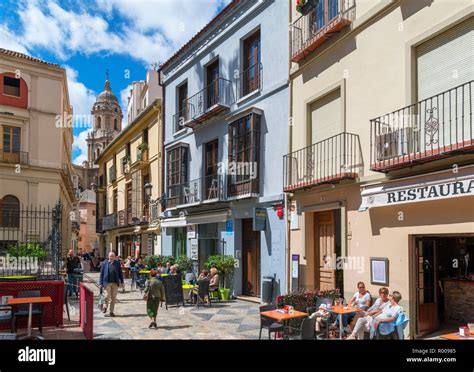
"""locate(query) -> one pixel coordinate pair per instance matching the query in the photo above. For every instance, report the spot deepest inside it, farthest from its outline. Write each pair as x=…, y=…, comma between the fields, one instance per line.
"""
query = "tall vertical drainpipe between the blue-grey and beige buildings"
x=290, y=137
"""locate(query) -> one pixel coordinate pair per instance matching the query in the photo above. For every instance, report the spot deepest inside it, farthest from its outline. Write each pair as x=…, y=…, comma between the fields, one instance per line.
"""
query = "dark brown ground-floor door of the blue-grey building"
x=250, y=259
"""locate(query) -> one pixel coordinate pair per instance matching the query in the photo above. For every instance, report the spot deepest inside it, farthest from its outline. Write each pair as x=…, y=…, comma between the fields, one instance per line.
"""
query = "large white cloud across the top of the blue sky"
x=151, y=31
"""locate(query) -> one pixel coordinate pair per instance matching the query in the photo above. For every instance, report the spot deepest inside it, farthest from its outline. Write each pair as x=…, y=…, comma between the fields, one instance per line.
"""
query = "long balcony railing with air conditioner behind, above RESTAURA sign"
x=433, y=128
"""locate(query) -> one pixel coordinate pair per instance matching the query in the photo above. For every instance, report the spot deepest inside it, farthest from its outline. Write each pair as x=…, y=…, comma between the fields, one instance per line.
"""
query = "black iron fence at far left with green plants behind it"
x=30, y=242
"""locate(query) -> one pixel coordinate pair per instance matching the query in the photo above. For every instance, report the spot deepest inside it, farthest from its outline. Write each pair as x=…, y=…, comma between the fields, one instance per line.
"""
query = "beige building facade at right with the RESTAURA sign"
x=380, y=174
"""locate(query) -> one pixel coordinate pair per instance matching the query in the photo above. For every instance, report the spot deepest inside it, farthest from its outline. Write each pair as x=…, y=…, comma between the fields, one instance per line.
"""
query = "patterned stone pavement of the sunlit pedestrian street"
x=225, y=320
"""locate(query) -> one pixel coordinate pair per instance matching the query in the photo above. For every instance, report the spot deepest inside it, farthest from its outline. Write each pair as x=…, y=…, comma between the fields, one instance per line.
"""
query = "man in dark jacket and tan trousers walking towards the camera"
x=111, y=278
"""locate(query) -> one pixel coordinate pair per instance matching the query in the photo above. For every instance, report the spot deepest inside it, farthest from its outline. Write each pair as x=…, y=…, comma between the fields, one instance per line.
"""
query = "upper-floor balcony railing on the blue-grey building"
x=211, y=101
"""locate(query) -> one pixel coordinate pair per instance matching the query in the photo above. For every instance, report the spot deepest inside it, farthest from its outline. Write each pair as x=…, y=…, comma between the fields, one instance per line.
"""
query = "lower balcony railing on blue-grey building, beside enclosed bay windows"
x=201, y=190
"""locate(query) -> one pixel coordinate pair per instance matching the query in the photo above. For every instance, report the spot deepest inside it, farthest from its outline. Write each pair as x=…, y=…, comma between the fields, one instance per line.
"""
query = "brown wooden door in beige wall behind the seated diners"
x=325, y=249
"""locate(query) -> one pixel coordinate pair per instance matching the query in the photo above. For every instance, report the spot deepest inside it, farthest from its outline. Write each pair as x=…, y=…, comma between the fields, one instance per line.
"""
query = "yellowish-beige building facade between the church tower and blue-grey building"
x=130, y=186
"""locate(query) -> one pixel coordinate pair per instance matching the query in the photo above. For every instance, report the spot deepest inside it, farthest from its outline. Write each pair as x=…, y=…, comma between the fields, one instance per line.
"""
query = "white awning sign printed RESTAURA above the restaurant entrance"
x=433, y=186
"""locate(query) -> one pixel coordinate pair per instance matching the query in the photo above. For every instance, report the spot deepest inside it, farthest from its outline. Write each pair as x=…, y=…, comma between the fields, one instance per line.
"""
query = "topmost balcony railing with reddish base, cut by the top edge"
x=325, y=19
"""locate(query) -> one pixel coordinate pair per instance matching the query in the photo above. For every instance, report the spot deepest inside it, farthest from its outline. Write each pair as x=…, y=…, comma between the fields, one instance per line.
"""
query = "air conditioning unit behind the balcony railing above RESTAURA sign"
x=396, y=143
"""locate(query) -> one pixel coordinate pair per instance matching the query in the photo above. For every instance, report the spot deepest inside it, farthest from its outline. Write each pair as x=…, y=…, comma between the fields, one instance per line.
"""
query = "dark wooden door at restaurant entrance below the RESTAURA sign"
x=426, y=279
